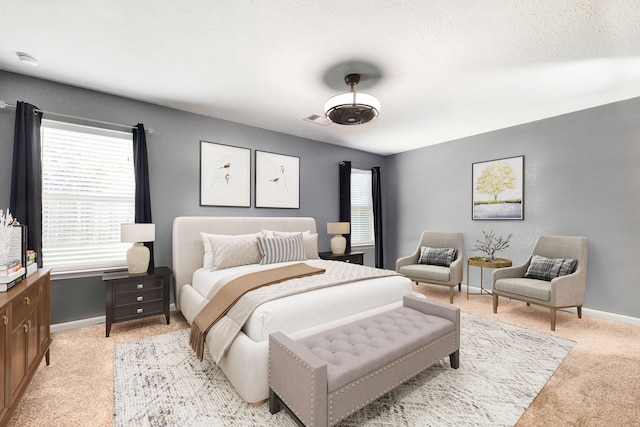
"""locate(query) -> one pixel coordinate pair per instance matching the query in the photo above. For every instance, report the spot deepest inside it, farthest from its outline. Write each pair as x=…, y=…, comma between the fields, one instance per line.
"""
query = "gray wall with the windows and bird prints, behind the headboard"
x=173, y=150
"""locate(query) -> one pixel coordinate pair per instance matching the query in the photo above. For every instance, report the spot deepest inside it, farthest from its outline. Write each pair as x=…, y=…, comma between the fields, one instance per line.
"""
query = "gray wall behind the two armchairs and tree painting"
x=582, y=177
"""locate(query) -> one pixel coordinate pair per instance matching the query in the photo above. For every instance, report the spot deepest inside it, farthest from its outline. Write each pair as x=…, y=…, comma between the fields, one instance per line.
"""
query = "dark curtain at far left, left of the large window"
x=26, y=179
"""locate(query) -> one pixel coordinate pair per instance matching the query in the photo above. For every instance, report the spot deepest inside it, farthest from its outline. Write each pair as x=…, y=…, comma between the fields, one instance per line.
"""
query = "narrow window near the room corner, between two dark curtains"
x=361, y=208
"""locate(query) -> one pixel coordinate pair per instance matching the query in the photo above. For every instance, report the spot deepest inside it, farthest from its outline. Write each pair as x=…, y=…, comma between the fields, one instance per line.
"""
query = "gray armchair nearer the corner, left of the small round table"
x=435, y=274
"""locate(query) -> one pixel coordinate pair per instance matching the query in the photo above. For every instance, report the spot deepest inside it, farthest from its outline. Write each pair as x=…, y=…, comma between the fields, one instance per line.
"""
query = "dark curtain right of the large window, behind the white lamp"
x=143, y=196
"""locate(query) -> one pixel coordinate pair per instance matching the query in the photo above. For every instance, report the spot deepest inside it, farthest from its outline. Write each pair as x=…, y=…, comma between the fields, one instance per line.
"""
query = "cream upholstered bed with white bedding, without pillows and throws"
x=245, y=360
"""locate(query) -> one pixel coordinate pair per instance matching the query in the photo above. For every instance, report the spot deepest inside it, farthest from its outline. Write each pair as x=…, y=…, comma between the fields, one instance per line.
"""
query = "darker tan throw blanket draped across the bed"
x=232, y=291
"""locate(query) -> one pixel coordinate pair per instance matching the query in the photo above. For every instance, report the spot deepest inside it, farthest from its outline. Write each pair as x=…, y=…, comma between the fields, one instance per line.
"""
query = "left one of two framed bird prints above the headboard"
x=225, y=175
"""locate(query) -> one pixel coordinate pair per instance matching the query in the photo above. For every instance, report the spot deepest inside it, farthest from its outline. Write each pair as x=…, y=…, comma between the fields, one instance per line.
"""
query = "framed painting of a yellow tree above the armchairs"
x=498, y=189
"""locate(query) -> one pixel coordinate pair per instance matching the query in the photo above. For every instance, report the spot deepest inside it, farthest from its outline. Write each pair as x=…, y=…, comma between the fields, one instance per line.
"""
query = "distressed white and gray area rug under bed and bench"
x=158, y=381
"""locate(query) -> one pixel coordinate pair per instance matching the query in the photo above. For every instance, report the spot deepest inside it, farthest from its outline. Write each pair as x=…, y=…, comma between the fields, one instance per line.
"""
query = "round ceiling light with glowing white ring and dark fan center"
x=352, y=108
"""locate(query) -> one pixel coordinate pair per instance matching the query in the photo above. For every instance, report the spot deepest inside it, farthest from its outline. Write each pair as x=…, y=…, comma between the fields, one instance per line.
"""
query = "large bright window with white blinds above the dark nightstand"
x=88, y=190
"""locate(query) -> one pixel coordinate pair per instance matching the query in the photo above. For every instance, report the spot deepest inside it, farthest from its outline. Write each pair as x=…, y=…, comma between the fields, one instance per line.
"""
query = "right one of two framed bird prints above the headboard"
x=277, y=181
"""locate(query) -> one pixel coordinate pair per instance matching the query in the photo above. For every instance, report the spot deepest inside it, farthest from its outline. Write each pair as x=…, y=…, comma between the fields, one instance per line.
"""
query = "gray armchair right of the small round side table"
x=560, y=292
